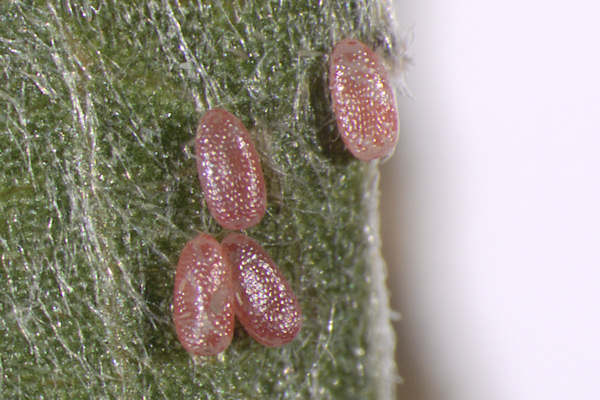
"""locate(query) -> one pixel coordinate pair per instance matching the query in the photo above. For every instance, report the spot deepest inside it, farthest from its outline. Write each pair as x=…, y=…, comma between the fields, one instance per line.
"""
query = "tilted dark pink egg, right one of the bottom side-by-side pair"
x=263, y=300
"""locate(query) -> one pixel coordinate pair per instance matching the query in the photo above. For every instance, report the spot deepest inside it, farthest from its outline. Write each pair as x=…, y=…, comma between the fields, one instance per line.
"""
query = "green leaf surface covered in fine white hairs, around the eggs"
x=99, y=193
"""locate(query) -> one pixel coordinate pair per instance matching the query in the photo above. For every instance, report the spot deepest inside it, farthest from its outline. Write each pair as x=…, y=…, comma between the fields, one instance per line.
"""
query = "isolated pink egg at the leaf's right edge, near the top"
x=363, y=101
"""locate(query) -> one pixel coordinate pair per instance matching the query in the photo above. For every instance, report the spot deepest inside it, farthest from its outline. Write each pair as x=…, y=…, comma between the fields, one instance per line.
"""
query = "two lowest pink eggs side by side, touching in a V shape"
x=215, y=282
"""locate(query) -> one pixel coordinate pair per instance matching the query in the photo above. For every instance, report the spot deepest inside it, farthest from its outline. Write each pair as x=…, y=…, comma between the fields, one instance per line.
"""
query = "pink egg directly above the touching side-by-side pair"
x=229, y=171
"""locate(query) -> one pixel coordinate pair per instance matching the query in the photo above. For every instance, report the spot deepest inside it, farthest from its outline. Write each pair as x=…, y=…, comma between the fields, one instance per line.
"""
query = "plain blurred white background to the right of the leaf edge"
x=491, y=203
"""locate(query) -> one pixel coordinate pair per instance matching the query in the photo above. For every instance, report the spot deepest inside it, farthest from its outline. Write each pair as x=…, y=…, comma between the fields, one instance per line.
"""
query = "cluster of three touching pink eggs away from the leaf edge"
x=216, y=281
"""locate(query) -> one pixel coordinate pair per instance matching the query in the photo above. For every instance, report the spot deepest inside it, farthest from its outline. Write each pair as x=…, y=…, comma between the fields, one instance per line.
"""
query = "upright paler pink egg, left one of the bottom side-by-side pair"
x=203, y=297
